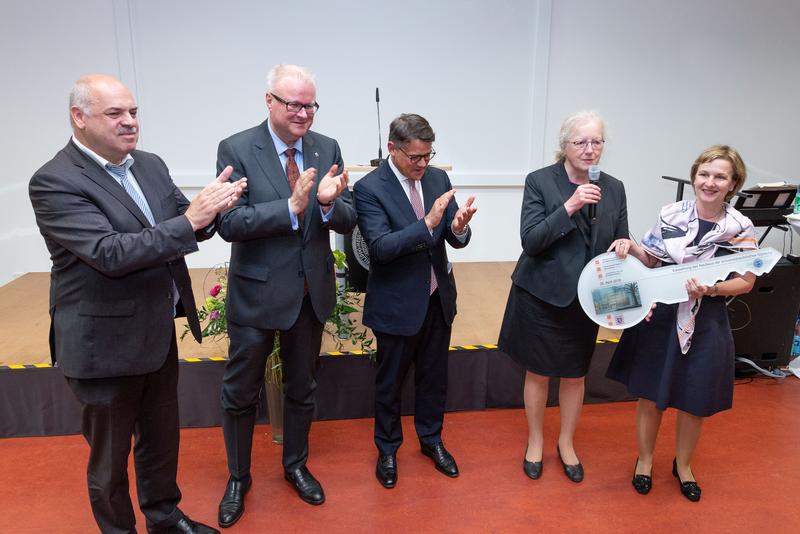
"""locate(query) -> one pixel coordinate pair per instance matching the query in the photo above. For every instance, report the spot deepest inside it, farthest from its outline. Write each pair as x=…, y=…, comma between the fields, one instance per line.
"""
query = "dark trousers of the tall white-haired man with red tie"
x=244, y=379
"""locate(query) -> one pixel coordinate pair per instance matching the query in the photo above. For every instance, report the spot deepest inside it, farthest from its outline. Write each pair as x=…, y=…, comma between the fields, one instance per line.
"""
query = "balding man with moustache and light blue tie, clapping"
x=117, y=229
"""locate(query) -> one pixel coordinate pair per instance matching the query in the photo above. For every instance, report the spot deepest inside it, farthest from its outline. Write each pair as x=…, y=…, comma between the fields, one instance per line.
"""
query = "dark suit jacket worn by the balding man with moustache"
x=111, y=282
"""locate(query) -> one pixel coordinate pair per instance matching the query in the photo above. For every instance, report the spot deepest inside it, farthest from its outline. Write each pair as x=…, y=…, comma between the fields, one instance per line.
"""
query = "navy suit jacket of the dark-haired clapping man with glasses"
x=402, y=250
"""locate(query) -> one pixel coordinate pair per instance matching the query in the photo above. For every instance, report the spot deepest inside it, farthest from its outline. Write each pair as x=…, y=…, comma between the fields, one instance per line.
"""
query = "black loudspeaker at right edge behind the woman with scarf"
x=763, y=320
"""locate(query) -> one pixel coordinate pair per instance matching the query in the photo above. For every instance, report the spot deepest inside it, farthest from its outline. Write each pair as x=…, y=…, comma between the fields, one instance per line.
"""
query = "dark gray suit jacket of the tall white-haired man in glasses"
x=269, y=260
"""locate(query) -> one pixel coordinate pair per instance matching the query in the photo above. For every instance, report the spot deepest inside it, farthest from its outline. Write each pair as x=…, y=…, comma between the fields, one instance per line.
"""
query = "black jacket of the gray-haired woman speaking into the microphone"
x=554, y=244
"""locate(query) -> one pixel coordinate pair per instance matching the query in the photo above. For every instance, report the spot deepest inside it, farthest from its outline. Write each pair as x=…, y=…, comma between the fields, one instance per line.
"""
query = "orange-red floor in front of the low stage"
x=747, y=464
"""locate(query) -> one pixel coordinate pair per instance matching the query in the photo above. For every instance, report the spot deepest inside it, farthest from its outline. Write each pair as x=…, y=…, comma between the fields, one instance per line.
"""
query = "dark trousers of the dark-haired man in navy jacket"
x=428, y=350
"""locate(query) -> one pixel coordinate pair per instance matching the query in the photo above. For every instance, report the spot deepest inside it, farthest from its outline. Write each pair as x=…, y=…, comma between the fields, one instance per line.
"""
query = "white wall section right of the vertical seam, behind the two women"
x=672, y=78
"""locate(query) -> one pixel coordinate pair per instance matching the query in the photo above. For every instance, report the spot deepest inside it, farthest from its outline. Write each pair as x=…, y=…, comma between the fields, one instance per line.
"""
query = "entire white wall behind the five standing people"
x=494, y=78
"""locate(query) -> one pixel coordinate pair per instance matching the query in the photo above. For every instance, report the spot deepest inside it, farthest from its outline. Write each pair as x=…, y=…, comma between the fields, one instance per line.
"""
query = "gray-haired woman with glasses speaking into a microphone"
x=544, y=328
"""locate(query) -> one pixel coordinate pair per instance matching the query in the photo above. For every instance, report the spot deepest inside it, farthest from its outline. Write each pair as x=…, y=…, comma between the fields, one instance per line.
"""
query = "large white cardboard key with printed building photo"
x=618, y=294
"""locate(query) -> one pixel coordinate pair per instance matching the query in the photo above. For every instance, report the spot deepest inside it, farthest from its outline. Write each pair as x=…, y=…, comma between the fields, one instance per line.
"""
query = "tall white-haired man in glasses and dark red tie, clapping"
x=281, y=274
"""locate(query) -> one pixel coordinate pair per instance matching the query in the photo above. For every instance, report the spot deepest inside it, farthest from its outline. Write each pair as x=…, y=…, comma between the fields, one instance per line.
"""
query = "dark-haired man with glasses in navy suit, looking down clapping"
x=406, y=212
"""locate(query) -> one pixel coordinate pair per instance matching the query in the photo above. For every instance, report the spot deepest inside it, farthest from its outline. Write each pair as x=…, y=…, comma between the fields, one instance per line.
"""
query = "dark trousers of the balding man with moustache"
x=115, y=409
